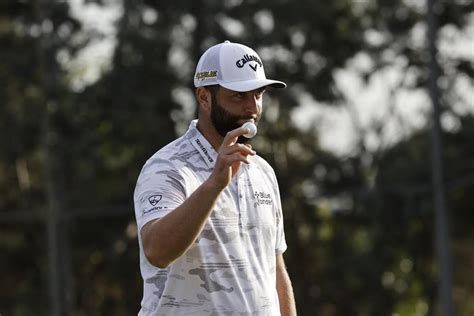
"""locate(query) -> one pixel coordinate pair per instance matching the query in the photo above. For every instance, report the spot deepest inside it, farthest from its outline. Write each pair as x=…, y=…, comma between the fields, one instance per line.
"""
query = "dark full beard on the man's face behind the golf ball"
x=224, y=121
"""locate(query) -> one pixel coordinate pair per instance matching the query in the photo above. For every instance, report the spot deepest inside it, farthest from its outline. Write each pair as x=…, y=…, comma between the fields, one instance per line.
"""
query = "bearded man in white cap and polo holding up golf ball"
x=208, y=208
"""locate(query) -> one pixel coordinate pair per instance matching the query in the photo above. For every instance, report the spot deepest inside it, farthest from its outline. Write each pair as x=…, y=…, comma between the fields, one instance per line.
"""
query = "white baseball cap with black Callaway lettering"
x=232, y=66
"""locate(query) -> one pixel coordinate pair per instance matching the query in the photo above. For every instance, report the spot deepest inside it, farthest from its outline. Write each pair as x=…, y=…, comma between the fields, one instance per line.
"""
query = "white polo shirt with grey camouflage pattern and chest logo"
x=230, y=269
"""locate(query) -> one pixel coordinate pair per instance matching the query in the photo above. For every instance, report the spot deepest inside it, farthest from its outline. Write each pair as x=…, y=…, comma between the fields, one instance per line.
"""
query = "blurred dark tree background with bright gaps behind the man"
x=378, y=201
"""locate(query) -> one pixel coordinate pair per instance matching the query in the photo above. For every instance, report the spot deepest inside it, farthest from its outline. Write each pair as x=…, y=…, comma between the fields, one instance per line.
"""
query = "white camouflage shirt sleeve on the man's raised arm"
x=159, y=190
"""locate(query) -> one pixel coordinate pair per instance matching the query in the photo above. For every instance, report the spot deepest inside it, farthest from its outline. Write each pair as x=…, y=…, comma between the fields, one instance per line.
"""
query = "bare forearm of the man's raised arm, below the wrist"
x=166, y=239
